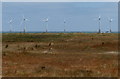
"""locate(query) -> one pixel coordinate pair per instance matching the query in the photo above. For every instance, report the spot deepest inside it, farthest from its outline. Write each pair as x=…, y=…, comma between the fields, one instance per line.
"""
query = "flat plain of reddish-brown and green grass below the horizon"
x=60, y=54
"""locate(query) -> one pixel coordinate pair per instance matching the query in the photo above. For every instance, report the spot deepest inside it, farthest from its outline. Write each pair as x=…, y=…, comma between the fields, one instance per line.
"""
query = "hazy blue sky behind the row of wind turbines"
x=80, y=16
